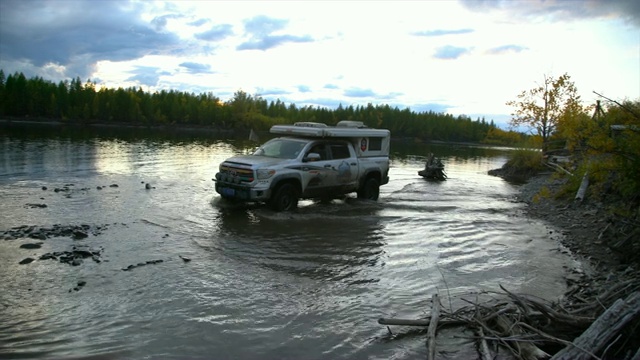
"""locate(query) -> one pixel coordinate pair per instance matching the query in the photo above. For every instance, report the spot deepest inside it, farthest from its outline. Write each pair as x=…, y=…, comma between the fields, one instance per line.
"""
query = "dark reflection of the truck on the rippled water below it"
x=321, y=241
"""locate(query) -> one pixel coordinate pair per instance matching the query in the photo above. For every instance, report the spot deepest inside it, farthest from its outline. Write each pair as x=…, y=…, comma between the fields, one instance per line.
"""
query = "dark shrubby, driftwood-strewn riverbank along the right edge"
x=599, y=314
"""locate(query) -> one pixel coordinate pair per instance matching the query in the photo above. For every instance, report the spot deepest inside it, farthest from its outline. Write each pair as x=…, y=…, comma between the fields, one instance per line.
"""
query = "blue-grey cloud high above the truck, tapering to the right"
x=260, y=31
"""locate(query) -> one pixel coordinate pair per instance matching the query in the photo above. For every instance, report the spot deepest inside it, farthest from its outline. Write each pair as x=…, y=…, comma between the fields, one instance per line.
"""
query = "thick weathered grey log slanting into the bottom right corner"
x=604, y=329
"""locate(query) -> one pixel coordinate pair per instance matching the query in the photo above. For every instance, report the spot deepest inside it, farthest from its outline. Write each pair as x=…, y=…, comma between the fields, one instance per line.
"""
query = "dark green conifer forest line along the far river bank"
x=77, y=102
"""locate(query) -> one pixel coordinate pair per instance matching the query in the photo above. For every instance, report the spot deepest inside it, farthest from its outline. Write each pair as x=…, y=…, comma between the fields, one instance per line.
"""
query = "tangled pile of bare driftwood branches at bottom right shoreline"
x=583, y=326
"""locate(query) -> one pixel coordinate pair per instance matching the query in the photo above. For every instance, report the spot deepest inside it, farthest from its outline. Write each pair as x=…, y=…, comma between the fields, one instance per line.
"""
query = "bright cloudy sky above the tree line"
x=465, y=57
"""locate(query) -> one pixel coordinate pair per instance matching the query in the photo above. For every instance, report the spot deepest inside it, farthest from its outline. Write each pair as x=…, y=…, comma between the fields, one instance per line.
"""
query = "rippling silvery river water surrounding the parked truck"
x=259, y=285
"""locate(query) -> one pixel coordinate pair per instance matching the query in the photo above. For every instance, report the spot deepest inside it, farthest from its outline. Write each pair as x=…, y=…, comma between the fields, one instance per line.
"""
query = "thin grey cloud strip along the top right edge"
x=562, y=10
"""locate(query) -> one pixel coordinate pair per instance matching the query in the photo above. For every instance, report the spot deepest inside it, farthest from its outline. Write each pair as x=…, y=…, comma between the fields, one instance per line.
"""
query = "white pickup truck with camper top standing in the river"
x=309, y=161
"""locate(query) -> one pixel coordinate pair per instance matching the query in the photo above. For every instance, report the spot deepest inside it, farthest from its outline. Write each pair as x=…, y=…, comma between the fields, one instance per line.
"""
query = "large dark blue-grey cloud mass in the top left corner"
x=78, y=34
